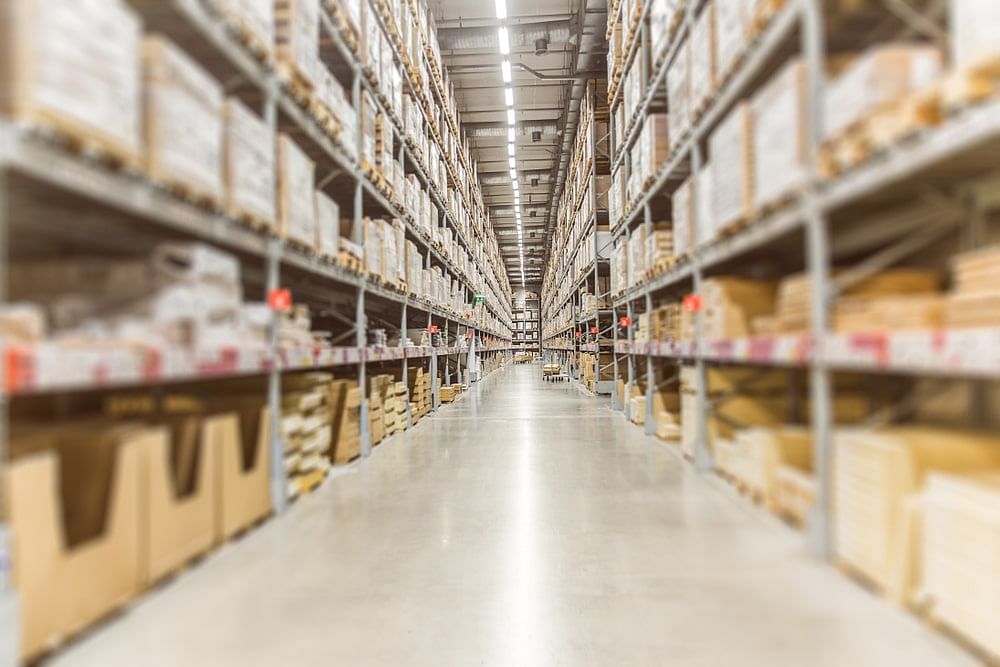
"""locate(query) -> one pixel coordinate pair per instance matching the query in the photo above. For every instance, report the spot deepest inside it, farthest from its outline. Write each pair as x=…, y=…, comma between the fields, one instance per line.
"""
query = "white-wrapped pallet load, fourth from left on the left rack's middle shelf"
x=296, y=207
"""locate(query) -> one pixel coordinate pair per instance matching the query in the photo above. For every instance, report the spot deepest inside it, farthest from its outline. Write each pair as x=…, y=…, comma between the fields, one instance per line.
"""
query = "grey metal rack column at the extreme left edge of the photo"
x=9, y=623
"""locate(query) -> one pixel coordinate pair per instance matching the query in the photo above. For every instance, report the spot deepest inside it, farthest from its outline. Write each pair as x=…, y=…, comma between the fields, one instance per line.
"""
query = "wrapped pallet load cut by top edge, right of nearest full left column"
x=297, y=39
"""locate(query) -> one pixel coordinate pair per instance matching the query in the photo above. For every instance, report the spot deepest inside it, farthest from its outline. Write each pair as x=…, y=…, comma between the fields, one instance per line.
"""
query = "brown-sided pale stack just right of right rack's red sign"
x=731, y=304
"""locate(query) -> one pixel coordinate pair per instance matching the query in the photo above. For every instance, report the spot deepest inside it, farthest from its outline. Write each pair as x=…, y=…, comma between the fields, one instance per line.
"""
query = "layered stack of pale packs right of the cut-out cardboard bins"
x=306, y=430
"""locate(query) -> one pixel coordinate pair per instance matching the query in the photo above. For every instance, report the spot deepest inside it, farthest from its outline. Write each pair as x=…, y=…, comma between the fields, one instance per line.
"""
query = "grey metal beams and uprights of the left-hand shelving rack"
x=132, y=214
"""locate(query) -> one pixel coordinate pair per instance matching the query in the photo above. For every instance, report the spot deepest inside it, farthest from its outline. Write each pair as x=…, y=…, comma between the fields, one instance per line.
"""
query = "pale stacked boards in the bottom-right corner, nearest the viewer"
x=960, y=543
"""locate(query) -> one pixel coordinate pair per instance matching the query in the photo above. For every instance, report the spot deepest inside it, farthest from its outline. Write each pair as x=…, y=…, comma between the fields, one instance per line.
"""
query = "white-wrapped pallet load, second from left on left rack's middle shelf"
x=183, y=121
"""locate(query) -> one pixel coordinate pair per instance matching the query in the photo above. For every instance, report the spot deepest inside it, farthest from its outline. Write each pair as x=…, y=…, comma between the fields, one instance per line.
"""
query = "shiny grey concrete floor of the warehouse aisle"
x=525, y=525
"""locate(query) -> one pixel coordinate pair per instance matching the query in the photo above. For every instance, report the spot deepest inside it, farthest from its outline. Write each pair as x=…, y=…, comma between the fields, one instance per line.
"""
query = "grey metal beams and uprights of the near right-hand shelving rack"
x=962, y=148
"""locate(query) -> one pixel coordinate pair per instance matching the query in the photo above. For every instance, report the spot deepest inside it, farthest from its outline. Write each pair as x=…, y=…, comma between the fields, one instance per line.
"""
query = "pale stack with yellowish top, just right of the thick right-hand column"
x=877, y=477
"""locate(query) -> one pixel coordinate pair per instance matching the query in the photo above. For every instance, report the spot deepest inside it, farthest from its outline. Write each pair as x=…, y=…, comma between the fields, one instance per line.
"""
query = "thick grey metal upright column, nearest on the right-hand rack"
x=820, y=524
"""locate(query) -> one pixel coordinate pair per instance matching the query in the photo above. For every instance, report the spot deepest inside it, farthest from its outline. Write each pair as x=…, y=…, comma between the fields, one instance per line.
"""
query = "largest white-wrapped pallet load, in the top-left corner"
x=75, y=67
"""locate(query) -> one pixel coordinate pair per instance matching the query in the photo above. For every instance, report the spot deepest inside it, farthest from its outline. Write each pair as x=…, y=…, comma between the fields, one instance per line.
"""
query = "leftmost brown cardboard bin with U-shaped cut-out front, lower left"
x=75, y=506
